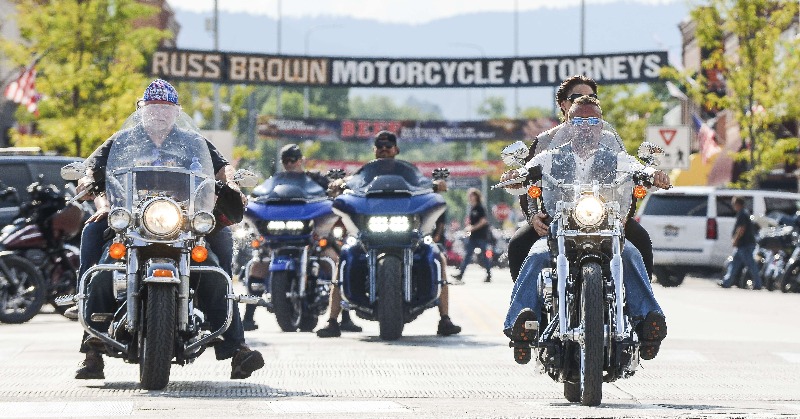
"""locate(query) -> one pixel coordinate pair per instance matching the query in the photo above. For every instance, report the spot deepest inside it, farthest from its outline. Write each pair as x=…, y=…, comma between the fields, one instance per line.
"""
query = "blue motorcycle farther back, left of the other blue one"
x=293, y=216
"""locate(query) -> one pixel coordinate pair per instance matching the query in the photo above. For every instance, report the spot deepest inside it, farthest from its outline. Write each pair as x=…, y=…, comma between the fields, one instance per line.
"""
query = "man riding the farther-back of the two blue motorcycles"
x=293, y=161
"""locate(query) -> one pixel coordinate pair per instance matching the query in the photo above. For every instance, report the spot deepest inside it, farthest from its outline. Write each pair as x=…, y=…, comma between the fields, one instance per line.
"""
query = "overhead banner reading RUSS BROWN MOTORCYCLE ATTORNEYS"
x=292, y=70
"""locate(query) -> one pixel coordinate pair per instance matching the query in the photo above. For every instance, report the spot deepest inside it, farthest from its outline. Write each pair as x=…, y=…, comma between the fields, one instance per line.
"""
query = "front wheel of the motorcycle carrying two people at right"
x=589, y=389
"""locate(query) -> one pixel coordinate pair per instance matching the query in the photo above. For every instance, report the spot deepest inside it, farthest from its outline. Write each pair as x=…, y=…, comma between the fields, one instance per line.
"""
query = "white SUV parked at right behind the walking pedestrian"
x=691, y=226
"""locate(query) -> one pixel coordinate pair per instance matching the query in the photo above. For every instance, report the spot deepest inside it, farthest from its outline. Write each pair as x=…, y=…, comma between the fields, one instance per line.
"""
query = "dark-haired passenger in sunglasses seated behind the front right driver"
x=522, y=240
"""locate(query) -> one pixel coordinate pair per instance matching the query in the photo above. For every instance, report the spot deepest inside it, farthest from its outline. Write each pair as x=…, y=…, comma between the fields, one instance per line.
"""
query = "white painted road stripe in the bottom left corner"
x=64, y=409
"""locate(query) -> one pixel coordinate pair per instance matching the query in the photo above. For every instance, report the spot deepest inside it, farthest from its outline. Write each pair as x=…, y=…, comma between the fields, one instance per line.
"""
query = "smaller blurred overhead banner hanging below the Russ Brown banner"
x=408, y=131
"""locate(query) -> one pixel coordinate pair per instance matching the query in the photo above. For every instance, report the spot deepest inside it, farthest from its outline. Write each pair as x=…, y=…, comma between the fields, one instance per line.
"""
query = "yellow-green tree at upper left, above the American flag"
x=91, y=70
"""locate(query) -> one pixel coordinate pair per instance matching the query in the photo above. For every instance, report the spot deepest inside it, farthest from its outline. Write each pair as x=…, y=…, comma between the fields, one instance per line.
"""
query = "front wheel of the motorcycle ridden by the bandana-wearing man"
x=157, y=337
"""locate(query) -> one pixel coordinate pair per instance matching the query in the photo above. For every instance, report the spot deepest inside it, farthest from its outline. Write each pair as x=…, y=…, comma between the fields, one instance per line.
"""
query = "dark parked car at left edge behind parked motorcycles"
x=21, y=166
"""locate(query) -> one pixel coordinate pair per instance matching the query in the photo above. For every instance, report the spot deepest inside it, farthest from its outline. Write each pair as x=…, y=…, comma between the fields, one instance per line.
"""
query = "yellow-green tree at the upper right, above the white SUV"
x=744, y=40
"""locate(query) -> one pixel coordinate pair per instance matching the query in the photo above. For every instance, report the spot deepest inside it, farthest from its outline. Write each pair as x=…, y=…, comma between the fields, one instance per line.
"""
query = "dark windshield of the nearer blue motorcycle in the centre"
x=389, y=176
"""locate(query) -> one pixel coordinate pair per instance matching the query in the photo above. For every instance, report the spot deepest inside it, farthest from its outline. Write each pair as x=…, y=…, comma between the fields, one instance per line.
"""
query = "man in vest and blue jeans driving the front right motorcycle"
x=646, y=315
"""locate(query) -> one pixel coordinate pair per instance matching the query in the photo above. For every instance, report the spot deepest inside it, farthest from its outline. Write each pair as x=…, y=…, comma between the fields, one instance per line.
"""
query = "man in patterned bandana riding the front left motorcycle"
x=219, y=241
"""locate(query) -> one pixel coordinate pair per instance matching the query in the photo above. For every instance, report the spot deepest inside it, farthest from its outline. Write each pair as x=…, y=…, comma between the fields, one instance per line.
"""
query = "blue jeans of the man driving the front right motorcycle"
x=639, y=295
